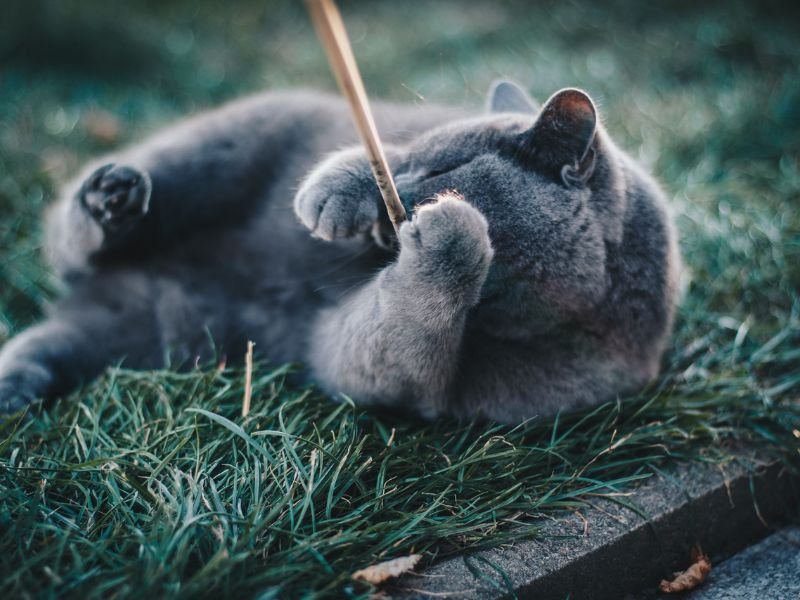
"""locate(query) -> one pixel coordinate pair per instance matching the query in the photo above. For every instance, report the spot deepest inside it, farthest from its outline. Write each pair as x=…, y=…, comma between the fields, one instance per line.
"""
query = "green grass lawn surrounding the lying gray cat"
x=153, y=483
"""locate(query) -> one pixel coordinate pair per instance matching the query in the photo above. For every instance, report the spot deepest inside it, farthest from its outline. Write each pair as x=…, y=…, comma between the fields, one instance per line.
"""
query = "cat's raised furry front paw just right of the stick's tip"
x=447, y=244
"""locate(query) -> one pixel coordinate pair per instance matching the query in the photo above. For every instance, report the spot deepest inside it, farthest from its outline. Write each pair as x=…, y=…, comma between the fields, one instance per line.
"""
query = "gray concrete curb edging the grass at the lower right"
x=617, y=550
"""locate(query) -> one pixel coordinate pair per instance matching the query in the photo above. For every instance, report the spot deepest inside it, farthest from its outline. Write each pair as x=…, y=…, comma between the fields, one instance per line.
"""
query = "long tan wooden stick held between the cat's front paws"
x=332, y=33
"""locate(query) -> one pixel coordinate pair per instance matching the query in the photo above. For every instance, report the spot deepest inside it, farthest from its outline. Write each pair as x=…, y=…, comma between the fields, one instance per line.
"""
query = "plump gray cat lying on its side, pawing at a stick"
x=537, y=273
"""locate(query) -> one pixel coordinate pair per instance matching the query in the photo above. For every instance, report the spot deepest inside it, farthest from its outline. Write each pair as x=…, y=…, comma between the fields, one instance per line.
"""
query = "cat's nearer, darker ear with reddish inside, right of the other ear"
x=561, y=139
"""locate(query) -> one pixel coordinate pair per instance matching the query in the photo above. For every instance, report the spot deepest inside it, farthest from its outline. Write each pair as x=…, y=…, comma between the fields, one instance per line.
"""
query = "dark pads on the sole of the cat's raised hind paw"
x=115, y=195
